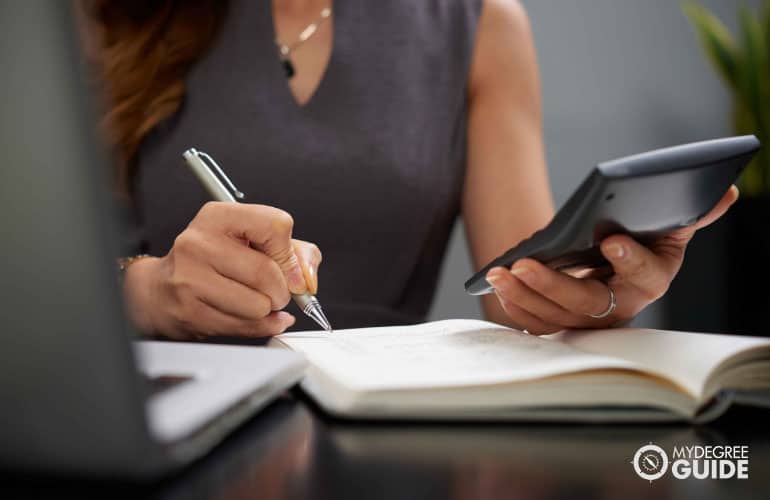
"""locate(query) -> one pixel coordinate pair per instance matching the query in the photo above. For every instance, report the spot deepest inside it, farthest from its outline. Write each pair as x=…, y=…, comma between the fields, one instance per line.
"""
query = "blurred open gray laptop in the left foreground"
x=79, y=393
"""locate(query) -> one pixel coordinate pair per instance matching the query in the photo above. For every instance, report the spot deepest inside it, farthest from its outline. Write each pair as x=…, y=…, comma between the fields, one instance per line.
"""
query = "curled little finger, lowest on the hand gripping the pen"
x=209, y=321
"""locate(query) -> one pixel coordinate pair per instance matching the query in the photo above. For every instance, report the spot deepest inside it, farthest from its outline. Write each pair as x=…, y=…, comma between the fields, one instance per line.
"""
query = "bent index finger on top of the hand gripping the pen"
x=266, y=228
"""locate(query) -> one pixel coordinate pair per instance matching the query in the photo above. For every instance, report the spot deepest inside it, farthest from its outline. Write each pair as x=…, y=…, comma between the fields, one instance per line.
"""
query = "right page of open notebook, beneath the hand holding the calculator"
x=686, y=358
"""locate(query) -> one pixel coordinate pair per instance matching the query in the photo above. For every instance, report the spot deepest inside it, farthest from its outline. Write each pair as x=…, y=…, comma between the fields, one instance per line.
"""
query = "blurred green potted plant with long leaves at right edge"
x=743, y=62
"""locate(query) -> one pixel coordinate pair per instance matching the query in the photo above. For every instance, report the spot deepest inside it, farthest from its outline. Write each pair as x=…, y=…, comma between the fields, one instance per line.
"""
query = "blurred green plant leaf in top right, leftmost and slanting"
x=716, y=41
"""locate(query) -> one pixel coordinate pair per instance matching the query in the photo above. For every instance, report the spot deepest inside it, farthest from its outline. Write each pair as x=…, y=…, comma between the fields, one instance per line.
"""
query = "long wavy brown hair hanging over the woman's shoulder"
x=141, y=51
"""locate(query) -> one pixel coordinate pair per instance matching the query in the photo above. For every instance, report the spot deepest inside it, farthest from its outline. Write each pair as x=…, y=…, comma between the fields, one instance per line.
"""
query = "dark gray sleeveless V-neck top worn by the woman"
x=371, y=168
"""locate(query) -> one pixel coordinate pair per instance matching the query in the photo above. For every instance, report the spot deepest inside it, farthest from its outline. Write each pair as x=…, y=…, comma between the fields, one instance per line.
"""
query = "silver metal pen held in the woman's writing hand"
x=214, y=180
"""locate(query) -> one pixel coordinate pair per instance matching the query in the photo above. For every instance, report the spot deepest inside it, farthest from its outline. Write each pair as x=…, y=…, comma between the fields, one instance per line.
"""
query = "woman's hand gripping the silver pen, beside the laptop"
x=230, y=272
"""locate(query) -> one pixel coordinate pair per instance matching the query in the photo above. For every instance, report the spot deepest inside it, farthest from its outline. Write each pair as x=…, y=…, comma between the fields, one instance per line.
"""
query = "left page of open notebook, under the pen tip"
x=439, y=354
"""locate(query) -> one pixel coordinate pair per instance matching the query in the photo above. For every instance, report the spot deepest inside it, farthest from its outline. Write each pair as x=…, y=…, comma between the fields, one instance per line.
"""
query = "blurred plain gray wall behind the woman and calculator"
x=618, y=77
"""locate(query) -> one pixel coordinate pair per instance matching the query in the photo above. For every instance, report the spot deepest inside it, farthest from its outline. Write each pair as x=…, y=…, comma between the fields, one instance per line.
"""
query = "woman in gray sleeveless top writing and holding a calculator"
x=364, y=127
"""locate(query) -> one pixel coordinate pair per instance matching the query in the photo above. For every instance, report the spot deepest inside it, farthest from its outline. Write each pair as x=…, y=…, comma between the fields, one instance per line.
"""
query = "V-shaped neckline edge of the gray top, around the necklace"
x=278, y=72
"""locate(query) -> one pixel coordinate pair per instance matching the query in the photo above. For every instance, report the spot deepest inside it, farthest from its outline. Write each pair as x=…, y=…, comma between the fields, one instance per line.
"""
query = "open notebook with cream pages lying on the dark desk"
x=468, y=369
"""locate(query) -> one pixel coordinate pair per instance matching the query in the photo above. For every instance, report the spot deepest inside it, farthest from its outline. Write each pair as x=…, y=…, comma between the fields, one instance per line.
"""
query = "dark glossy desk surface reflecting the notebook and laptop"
x=291, y=450
